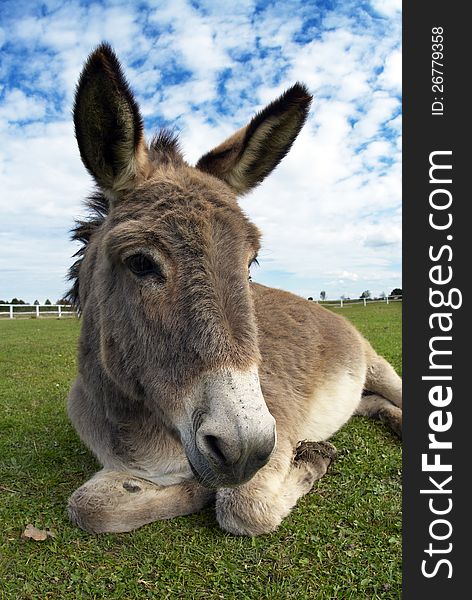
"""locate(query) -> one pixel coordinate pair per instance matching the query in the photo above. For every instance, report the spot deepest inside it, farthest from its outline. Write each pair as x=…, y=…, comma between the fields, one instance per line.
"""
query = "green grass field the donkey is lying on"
x=342, y=541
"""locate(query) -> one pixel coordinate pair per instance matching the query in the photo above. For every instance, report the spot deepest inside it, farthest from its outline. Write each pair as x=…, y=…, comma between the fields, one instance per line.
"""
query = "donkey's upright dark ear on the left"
x=108, y=125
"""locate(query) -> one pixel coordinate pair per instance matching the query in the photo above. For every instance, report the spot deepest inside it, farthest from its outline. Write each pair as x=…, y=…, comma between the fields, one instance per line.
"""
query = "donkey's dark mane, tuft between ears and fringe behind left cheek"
x=164, y=148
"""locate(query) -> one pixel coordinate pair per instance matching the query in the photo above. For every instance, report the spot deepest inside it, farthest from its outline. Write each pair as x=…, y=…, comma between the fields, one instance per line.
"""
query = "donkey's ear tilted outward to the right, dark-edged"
x=249, y=155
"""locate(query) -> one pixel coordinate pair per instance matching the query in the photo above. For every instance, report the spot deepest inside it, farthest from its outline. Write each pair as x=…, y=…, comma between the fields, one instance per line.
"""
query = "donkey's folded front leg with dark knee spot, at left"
x=115, y=501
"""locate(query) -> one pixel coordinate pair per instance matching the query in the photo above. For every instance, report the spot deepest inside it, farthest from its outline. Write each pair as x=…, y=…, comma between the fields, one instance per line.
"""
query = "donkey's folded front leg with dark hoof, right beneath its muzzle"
x=259, y=505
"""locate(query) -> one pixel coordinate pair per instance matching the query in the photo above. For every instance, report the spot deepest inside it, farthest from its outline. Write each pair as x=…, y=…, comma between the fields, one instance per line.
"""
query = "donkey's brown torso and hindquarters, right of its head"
x=316, y=367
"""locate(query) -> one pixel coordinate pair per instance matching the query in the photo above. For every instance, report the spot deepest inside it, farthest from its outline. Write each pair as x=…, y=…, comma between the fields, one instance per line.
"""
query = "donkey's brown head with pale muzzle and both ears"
x=164, y=284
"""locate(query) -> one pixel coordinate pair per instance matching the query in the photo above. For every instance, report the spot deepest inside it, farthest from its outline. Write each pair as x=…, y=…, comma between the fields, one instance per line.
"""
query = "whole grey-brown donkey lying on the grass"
x=194, y=383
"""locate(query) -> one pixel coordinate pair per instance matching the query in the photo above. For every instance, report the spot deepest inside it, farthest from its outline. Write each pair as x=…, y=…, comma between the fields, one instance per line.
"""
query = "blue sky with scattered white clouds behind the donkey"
x=331, y=212
